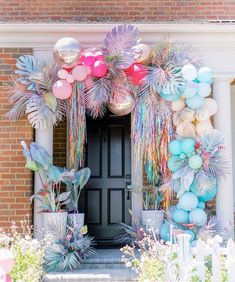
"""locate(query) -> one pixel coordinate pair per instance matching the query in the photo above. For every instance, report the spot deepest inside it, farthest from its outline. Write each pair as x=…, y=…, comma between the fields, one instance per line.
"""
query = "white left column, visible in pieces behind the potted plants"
x=43, y=137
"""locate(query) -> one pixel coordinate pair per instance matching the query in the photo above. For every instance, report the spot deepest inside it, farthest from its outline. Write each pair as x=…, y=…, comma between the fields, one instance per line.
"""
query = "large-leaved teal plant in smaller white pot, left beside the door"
x=76, y=181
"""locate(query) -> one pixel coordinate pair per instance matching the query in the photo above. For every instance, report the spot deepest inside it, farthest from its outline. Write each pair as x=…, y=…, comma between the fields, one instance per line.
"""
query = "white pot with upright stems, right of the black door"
x=152, y=215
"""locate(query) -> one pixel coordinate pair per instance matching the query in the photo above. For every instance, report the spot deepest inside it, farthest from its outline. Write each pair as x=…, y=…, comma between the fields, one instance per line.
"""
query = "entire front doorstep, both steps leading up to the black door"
x=106, y=265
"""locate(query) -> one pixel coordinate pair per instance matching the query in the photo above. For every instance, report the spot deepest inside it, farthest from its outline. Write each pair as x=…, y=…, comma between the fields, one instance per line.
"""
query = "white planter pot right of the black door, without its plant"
x=153, y=218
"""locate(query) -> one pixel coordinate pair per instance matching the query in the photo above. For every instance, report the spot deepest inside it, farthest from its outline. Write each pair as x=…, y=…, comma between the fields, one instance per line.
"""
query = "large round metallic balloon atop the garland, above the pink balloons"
x=67, y=52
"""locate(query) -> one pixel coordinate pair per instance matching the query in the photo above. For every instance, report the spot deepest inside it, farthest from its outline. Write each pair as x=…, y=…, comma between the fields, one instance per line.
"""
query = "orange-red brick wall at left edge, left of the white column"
x=15, y=180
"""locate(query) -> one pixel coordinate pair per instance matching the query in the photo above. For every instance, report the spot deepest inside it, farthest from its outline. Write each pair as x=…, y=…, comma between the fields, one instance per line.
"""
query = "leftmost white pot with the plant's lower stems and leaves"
x=53, y=214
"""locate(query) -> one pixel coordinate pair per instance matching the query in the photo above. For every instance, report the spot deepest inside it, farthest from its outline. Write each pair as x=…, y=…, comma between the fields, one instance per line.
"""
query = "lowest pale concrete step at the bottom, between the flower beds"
x=85, y=275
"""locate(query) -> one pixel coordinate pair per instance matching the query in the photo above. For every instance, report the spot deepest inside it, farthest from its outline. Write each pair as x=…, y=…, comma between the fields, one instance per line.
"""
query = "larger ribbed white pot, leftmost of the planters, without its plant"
x=54, y=224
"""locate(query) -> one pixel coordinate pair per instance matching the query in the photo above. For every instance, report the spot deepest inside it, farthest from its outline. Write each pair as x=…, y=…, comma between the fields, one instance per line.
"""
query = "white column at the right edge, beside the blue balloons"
x=224, y=197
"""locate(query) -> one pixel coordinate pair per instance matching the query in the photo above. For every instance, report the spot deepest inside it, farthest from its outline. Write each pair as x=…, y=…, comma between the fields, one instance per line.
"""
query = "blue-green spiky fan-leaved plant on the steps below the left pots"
x=67, y=254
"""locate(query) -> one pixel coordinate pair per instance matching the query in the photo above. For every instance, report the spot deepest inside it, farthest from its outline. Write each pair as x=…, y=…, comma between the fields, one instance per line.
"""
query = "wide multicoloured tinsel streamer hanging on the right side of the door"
x=152, y=130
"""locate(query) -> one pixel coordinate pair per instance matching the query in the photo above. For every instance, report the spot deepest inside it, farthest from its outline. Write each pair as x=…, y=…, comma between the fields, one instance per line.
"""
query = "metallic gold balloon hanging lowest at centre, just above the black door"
x=124, y=106
